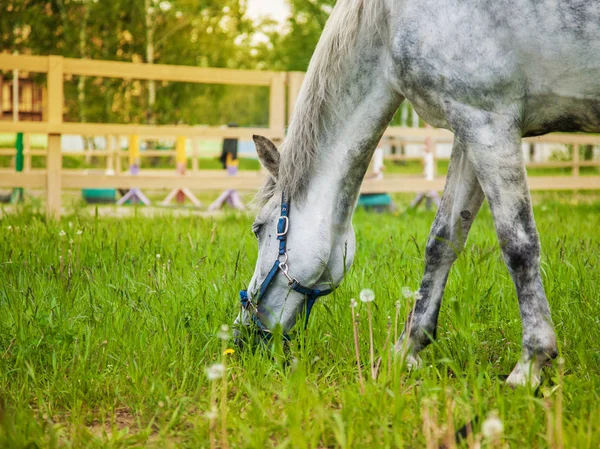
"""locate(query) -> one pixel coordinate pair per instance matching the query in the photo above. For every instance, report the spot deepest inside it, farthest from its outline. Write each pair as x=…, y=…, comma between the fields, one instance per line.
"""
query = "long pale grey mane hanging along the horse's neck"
x=337, y=46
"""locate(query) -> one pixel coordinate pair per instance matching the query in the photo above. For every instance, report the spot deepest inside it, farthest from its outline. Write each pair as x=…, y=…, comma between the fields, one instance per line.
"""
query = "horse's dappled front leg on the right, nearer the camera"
x=500, y=168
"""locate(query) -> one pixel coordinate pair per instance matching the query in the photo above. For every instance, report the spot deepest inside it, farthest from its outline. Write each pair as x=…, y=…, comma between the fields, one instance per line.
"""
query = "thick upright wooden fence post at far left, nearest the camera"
x=54, y=158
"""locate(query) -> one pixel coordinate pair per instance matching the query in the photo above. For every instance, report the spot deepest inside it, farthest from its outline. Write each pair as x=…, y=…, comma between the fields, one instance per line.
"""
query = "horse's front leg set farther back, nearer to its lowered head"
x=460, y=203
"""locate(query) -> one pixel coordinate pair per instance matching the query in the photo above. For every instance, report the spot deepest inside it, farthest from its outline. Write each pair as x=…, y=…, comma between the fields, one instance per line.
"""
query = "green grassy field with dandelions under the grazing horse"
x=107, y=327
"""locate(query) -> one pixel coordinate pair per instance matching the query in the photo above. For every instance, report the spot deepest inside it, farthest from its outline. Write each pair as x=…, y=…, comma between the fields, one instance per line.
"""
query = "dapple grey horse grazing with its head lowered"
x=492, y=72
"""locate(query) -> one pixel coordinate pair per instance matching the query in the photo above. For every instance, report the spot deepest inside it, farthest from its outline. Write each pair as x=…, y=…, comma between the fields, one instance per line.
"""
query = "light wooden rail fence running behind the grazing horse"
x=284, y=88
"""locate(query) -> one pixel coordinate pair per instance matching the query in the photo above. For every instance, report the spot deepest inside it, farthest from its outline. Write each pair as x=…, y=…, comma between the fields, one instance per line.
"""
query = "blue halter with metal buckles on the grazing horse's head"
x=281, y=265
